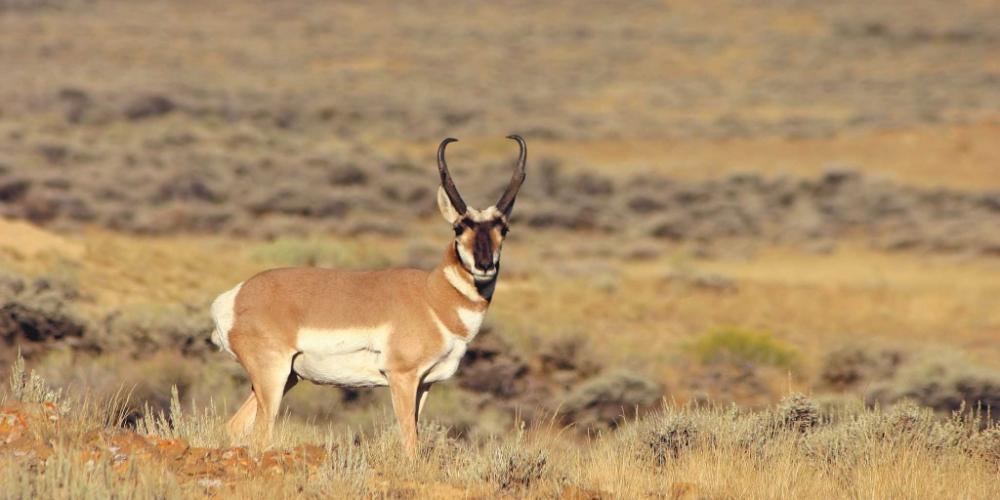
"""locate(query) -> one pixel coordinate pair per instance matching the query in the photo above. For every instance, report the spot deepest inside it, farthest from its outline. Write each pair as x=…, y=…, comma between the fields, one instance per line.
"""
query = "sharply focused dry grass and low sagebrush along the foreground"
x=683, y=452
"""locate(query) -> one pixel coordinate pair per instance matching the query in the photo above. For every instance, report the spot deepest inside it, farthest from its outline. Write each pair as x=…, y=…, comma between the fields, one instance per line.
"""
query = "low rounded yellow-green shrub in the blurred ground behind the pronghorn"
x=729, y=344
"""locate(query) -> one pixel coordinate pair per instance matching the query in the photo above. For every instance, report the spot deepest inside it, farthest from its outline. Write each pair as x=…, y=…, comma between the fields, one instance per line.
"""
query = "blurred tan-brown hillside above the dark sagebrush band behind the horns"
x=788, y=86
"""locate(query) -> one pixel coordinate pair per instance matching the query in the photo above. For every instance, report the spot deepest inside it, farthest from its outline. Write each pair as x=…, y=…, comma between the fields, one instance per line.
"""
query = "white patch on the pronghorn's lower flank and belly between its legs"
x=352, y=357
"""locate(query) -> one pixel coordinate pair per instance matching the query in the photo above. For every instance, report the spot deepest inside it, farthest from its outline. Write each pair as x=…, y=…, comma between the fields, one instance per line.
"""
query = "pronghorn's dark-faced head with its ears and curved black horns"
x=479, y=234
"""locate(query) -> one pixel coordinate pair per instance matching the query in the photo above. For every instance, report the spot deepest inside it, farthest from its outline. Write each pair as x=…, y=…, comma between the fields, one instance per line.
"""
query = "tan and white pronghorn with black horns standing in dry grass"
x=404, y=328
